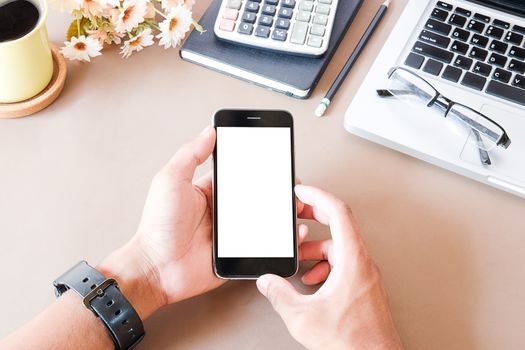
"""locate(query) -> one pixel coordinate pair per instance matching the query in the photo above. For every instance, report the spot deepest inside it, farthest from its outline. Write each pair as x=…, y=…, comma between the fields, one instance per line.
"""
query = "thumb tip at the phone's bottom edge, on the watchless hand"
x=280, y=293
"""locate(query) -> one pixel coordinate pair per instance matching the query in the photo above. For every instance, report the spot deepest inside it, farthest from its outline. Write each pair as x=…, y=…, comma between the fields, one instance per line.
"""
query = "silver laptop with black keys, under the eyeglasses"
x=471, y=51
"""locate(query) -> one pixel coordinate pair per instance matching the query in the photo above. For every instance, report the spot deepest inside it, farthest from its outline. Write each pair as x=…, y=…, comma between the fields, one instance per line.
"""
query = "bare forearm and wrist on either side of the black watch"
x=68, y=324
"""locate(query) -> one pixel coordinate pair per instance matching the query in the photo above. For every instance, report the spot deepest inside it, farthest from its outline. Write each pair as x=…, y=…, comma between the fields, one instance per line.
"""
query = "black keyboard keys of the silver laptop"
x=474, y=50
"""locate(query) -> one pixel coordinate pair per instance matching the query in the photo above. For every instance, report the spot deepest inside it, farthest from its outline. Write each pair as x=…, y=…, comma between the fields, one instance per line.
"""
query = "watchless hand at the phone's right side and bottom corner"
x=350, y=310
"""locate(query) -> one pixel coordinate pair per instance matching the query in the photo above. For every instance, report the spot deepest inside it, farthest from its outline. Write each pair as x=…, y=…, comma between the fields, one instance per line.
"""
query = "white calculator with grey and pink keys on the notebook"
x=301, y=27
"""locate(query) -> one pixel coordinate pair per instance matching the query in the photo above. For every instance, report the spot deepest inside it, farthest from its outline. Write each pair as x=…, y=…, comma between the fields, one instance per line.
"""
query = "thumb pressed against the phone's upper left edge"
x=183, y=164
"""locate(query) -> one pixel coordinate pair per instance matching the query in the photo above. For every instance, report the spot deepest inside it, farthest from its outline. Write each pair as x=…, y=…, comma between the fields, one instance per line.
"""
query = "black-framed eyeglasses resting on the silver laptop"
x=413, y=89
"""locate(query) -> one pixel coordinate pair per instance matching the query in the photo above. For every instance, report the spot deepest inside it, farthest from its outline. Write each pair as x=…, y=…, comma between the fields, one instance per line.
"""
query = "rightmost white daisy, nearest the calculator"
x=175, y=26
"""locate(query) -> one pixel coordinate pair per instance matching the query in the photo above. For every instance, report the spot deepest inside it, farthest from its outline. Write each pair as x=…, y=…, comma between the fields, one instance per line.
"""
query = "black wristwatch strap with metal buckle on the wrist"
x=103, y=297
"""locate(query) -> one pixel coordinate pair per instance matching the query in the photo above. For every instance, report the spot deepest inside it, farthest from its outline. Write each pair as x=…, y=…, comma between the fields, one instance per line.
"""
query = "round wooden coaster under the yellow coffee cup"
x=43, y=99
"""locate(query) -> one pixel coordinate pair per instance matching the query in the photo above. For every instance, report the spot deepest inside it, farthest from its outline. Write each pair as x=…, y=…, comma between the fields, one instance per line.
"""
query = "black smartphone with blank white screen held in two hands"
x=254, y=201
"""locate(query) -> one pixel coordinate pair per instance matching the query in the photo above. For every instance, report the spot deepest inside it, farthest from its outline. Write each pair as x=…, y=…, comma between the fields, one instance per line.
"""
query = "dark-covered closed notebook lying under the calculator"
x=292, y=75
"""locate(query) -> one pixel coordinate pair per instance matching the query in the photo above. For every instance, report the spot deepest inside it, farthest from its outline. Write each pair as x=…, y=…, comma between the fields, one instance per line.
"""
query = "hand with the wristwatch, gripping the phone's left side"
x=172, y=251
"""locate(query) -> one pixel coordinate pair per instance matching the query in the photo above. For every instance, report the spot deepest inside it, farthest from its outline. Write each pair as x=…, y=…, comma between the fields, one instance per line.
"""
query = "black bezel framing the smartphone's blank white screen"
x=251, y=268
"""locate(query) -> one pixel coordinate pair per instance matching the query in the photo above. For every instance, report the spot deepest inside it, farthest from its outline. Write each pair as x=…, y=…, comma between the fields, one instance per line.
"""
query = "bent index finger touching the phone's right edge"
x=327, y=209
